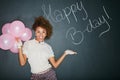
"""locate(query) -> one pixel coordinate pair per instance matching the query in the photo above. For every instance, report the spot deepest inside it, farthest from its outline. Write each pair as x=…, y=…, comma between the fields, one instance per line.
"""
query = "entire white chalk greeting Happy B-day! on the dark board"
x=78, y=7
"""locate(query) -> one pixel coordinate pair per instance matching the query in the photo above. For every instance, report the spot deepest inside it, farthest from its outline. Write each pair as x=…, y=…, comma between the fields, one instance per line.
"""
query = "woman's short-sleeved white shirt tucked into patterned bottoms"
x=38, y=55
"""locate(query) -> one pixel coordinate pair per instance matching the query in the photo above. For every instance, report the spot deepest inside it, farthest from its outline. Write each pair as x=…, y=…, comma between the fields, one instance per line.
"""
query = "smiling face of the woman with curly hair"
x=40, y=34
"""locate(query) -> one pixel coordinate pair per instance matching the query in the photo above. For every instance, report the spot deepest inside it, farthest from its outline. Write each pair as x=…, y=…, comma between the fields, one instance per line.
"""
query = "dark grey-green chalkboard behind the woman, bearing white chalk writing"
x=89, y=27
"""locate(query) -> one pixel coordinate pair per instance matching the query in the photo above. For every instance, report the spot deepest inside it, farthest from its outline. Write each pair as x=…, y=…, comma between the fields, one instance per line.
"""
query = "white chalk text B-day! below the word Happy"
x=92, y=24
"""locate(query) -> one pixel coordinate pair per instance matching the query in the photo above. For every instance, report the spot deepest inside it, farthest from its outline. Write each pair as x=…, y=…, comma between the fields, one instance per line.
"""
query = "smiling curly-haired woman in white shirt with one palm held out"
x=40, y=54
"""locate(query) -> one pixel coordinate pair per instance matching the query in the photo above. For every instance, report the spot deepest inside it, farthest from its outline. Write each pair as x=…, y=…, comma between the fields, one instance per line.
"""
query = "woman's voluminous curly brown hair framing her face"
x=44, y=23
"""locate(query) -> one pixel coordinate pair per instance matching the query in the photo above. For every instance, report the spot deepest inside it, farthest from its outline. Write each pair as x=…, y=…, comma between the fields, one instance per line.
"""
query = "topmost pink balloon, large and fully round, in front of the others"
x=17, y=28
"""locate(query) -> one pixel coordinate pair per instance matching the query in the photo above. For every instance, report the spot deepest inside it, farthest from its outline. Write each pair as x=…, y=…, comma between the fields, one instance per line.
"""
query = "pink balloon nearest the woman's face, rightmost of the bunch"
x=26, y=35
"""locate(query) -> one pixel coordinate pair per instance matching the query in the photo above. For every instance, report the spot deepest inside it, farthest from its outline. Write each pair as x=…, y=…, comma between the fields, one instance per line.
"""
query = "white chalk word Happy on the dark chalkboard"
x=65, y=13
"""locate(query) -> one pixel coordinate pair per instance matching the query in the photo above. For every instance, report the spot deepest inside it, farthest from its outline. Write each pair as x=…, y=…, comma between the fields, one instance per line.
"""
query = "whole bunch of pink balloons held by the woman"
x=11, y=32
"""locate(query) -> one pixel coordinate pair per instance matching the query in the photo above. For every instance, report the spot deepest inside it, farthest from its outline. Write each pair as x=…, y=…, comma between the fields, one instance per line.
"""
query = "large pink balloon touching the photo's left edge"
x=6, y=41
